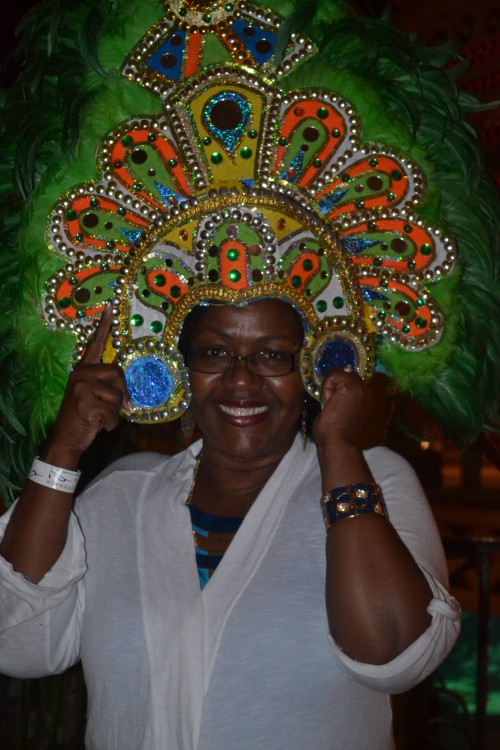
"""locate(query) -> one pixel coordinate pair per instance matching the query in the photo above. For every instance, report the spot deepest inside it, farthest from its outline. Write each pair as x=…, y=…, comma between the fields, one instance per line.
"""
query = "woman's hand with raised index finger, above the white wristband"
x=94, y=396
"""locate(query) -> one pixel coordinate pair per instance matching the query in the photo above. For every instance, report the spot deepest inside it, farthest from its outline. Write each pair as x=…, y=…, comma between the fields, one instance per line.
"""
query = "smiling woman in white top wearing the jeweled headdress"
x=243, y=249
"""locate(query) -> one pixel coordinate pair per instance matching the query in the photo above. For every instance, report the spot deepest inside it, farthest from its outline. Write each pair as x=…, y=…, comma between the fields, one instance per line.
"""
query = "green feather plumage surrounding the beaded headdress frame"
x=70, y=93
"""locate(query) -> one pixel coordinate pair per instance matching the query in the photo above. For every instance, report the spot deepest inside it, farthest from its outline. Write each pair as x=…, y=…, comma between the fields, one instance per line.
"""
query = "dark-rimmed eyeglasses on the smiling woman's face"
x=269, y=363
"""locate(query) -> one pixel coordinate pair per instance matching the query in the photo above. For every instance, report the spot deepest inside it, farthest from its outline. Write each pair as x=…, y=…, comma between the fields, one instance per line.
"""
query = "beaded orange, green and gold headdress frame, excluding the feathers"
x=242, y=190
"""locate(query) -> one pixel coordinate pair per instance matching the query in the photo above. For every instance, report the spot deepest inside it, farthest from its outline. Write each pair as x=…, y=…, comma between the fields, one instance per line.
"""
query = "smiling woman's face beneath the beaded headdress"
x=242, y=415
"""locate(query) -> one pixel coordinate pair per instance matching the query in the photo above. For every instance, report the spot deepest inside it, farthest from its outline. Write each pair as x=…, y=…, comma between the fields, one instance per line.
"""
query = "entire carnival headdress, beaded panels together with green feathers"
x=233, y=163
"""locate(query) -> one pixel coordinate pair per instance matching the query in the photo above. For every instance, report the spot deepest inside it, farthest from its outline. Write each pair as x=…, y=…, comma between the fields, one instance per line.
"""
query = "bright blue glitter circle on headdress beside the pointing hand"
x=149, y=382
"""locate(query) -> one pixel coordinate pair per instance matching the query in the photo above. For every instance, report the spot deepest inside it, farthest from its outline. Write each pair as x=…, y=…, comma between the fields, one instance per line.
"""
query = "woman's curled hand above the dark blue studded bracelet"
x=344, y=400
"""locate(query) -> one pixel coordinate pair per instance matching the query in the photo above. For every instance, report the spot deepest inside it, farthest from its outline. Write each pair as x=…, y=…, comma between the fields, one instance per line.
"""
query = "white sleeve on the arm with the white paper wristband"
x=40, y=623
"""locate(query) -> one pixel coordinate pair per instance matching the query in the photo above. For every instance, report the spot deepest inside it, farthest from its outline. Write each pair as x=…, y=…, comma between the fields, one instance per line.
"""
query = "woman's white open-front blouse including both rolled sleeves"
x=245, y=664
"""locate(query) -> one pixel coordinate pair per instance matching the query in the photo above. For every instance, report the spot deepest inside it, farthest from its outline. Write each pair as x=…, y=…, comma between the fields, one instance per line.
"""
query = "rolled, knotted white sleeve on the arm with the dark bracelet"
x=410, y=514
